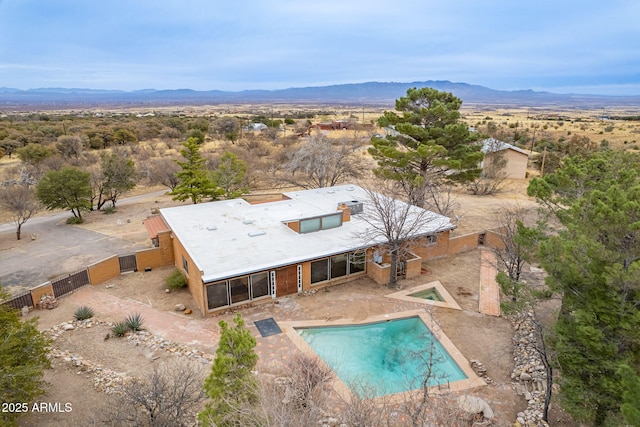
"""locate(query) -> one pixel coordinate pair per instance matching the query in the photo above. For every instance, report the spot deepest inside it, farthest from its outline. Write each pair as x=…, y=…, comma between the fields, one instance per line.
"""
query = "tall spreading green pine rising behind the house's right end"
x=429, y=145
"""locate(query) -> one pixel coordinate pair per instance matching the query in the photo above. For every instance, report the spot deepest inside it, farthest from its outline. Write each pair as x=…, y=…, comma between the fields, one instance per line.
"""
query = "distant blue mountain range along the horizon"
x=372, y=93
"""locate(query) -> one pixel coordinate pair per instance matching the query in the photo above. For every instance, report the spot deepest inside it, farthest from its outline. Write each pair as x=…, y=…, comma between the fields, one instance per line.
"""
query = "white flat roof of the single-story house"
x=232, y=237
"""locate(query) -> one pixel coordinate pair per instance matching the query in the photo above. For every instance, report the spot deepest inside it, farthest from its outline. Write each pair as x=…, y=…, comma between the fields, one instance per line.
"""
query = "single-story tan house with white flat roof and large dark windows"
x=233, y=252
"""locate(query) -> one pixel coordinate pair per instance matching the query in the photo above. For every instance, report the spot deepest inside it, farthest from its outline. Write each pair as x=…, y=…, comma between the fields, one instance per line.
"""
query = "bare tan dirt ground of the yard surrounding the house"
x=485, y=338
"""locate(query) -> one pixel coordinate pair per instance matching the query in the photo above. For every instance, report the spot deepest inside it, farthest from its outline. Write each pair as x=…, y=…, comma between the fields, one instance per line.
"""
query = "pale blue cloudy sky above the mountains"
x=560, y=46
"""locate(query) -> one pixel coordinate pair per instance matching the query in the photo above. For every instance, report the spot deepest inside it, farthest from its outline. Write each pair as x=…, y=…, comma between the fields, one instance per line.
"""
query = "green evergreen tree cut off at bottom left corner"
x=23, y=359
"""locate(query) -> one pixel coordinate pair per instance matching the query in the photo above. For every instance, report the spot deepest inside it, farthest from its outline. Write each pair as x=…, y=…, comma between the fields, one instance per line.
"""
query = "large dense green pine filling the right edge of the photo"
x=593, y=261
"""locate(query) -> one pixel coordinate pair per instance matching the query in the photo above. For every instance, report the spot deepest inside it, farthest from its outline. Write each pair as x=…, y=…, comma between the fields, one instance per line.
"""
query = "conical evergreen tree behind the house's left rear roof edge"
x=195, y=183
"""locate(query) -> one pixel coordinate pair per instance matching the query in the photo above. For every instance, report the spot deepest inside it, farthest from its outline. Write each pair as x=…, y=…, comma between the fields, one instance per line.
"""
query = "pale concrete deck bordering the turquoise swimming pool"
x=472, y=380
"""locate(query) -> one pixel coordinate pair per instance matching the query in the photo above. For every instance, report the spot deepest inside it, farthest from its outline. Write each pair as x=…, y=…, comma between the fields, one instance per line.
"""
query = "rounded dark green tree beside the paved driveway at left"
x=68, y=188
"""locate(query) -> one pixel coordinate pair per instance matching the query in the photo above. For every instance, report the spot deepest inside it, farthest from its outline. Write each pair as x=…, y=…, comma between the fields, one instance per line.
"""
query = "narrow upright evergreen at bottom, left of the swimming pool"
x=231, y=385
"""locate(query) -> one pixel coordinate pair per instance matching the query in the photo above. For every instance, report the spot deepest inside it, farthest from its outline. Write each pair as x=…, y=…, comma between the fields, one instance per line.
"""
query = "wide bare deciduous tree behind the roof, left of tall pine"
x=320, y=162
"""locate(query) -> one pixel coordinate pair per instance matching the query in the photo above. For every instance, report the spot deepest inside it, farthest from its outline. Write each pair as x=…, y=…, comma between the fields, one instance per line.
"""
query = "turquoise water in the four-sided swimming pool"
x=389, y=357
